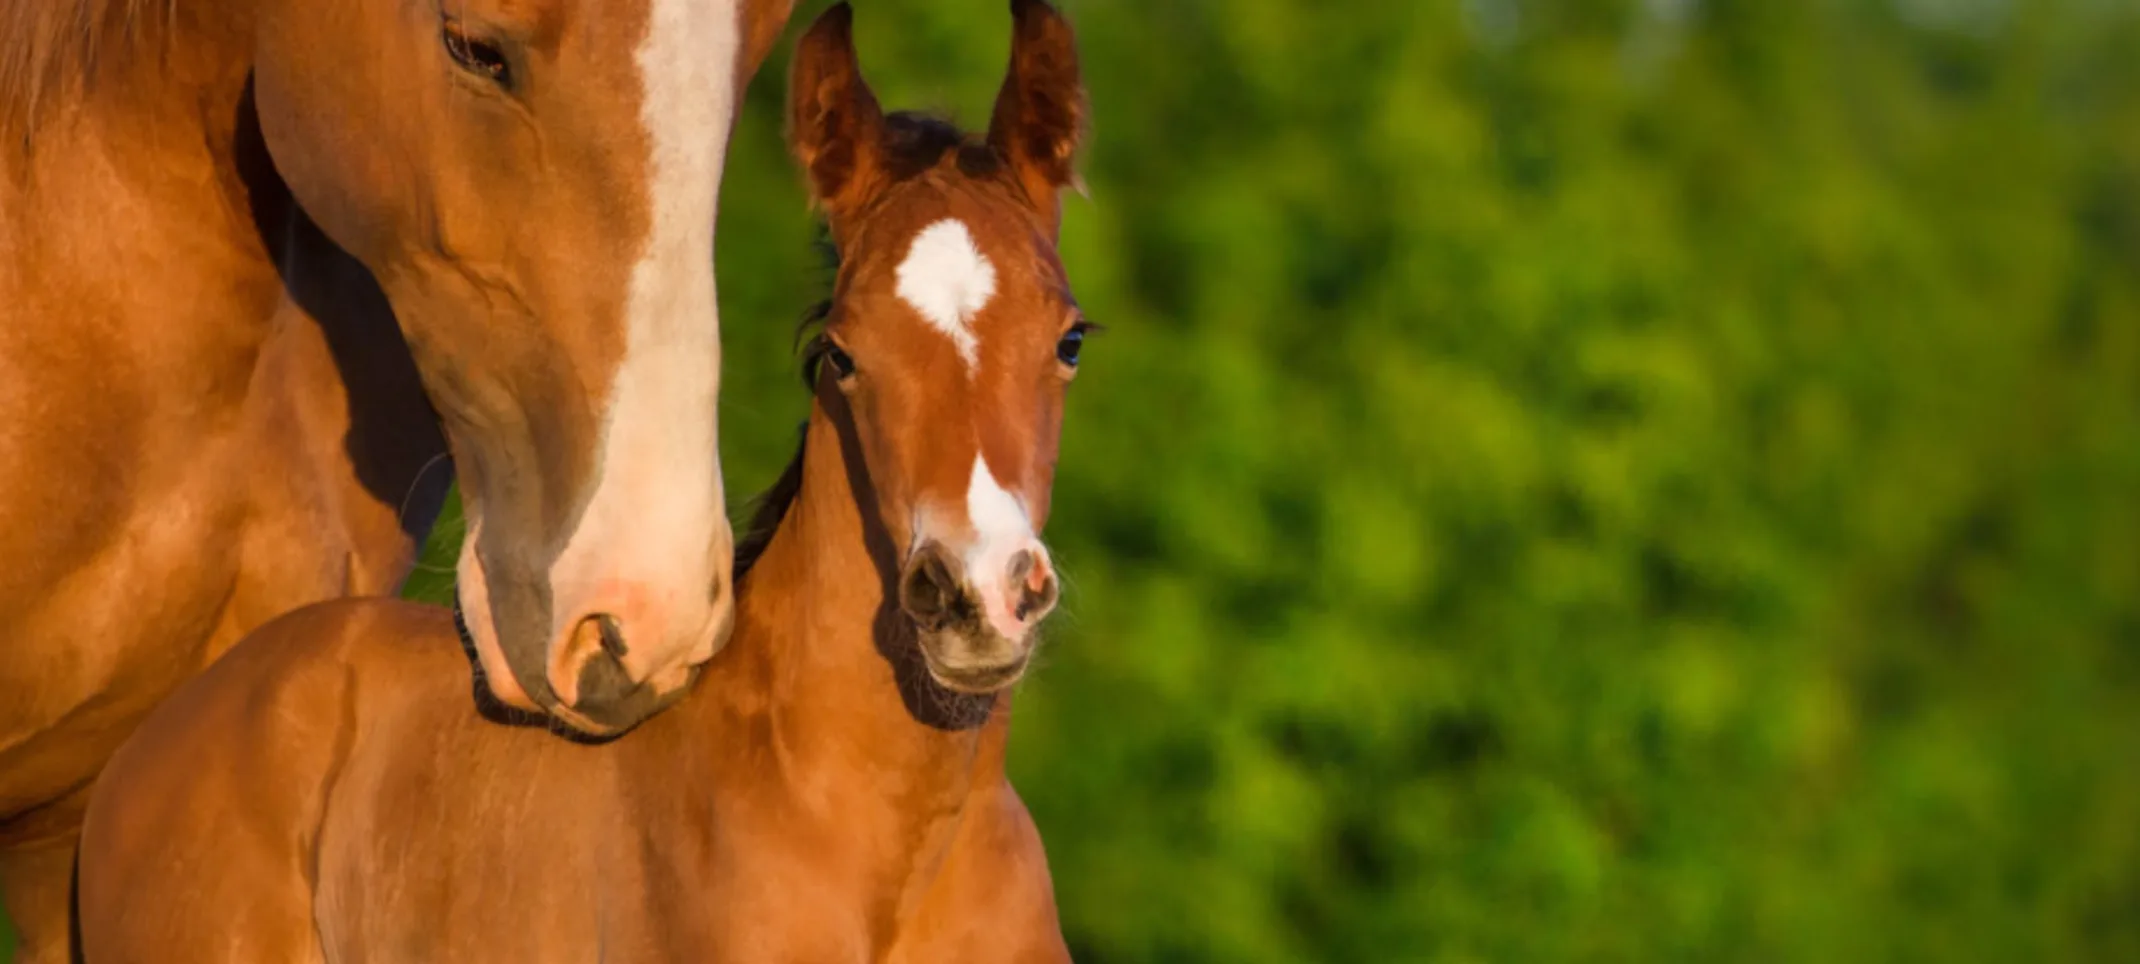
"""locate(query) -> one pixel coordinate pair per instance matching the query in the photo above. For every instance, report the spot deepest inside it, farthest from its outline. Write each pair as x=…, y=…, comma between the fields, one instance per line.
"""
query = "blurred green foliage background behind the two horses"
x=1570, y=481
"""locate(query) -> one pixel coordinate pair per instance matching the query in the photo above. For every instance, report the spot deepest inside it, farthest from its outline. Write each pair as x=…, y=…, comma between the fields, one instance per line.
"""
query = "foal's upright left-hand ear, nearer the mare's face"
x=834, y=123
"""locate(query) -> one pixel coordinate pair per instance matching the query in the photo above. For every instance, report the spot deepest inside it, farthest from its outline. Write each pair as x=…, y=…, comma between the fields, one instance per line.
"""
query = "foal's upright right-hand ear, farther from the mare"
x=1041, y=112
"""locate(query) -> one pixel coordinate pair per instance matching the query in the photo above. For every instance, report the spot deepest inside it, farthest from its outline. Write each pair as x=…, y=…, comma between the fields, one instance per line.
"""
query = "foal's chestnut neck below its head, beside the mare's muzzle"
x=836, y=663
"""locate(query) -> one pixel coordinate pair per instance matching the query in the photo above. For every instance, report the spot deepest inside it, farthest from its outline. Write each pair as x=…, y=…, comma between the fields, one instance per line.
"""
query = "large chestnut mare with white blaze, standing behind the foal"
x=264, y=265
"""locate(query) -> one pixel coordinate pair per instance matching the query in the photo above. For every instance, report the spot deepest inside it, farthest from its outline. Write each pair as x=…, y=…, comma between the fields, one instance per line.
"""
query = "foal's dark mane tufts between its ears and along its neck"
x=913, y=147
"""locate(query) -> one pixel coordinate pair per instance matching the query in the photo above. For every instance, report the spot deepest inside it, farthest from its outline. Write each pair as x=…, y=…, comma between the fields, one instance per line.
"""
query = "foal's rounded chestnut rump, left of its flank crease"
x=226, y=785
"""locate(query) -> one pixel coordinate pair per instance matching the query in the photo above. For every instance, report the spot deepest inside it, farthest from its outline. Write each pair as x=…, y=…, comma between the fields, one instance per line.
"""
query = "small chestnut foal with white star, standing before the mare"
x=834, y=789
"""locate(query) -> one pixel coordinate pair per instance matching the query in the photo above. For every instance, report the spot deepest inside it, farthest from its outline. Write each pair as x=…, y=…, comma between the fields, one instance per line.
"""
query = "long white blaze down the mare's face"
x=656, y=515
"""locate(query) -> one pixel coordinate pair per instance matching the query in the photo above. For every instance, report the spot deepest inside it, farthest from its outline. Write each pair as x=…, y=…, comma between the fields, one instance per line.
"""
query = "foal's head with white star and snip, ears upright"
x=953, y=333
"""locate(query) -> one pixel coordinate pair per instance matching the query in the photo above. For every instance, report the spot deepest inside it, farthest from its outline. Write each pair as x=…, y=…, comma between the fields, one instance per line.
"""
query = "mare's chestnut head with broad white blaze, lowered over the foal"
x=534, y=185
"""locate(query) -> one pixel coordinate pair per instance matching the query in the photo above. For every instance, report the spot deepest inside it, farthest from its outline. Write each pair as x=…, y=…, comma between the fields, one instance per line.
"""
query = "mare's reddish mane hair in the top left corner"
x=48, y=46
